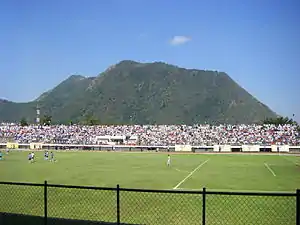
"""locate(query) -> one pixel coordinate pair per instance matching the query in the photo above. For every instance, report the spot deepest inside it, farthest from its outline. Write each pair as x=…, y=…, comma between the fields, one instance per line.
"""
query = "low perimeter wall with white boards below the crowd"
x=176, y=148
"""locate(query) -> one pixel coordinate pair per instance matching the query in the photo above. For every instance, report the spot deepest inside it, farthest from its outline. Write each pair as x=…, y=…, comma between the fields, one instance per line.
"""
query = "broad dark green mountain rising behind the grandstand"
x=145, y=93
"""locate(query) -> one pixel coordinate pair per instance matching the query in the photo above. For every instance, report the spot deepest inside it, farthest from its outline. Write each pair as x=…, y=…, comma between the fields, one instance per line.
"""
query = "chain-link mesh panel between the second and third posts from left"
x=160, y=207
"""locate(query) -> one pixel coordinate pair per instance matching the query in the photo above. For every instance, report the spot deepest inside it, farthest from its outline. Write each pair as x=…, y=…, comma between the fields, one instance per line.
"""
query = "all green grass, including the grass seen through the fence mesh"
x=232, y=172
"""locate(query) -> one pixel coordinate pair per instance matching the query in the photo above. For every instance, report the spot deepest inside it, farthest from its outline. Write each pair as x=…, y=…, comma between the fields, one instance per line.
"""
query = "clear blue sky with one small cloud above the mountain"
x=256, y=42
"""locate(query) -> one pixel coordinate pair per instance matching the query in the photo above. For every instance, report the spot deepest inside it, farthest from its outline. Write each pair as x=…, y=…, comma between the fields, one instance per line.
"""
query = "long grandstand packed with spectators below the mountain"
x=153, y=135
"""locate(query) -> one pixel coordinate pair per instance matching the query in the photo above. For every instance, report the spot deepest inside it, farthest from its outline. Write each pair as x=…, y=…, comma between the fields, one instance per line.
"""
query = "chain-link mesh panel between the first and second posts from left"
x=81, y=204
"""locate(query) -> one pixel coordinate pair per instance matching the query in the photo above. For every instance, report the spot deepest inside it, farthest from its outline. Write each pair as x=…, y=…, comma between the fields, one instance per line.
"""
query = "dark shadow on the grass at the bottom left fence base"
x=14, y=219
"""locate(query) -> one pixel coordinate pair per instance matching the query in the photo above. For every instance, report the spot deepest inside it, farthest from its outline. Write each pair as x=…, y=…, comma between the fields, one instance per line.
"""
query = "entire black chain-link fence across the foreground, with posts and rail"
x=39, y=204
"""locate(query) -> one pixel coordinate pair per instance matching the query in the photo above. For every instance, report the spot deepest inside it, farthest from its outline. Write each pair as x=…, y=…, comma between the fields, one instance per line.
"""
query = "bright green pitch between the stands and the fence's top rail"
x=149, y=170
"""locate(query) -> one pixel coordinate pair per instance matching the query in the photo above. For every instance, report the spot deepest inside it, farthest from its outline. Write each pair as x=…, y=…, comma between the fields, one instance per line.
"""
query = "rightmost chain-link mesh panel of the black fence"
x=240, y=209
